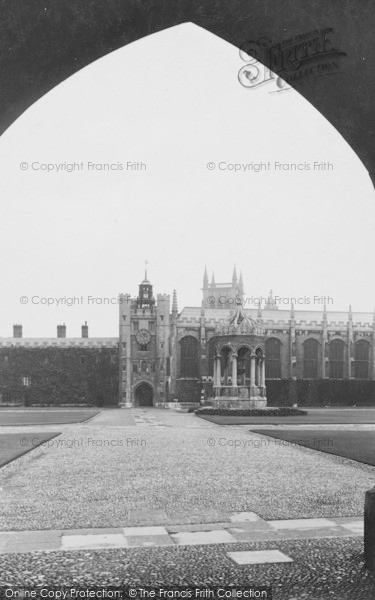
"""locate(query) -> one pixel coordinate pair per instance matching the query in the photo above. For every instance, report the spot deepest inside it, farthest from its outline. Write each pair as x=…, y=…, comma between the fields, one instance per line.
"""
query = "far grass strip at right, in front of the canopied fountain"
x=315, y=416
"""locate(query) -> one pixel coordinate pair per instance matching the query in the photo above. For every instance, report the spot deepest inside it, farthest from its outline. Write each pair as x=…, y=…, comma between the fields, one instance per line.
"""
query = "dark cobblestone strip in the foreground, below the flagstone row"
x=320, y=569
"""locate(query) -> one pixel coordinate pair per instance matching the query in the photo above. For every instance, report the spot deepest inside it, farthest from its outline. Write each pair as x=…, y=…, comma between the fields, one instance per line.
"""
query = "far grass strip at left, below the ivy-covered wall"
x=44, y=416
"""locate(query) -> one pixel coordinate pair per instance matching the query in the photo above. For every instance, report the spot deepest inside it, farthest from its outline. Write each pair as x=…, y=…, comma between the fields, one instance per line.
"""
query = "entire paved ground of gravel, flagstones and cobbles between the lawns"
x=149, y=495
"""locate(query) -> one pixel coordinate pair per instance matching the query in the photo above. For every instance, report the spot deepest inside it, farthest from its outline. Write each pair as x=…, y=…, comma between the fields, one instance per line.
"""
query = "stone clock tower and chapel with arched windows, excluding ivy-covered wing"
x=298, y=344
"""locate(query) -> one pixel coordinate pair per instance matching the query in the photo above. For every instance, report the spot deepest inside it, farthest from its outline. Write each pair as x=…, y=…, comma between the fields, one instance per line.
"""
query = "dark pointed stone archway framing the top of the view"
x=43, y=45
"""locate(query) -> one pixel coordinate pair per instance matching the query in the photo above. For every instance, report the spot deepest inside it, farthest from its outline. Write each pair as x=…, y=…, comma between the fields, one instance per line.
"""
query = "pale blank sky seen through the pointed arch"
x=170, y=110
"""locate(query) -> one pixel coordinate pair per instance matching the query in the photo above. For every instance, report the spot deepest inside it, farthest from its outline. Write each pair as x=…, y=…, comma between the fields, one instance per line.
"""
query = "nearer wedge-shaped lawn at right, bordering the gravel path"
x=356, y=445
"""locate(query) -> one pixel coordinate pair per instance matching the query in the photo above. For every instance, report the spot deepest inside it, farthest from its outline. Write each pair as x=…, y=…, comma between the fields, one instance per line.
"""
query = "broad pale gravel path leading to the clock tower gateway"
x=96, y=474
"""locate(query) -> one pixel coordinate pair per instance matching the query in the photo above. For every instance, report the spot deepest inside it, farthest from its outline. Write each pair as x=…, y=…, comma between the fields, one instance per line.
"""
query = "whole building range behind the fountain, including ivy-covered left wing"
x=162, y=354
